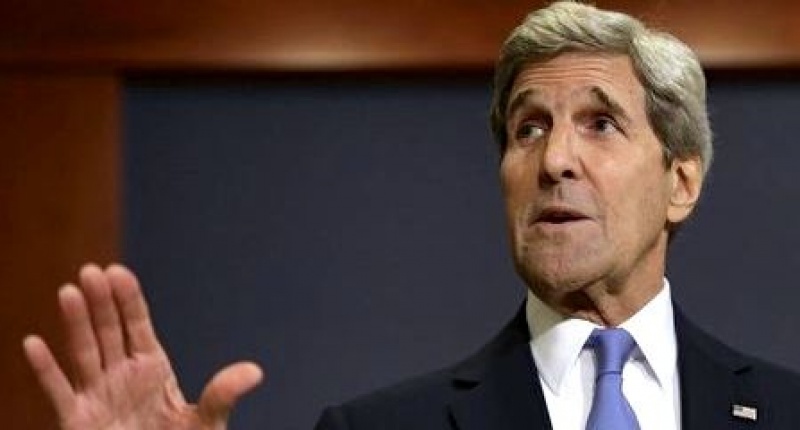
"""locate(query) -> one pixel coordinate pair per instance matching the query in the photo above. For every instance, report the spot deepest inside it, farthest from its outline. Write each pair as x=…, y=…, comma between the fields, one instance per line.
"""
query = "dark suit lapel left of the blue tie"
x=500, y=388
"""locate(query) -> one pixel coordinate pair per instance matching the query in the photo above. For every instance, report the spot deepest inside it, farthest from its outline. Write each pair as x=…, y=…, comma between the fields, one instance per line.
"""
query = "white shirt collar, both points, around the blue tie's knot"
x=557, y=341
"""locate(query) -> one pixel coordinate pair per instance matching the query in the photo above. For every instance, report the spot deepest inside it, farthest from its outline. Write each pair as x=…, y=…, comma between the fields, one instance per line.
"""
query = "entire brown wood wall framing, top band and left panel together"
x=61, y=65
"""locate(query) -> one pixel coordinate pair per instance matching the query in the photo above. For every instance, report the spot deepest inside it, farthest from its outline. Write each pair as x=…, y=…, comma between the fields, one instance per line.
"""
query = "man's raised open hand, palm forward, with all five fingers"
x=122, y=376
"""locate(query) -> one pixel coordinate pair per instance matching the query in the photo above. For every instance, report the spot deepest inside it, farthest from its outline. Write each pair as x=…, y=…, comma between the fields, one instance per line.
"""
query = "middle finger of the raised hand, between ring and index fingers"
x=105, y=317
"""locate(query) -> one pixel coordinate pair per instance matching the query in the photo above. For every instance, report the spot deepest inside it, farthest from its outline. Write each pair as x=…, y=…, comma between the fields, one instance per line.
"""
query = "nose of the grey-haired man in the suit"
x=559, y=160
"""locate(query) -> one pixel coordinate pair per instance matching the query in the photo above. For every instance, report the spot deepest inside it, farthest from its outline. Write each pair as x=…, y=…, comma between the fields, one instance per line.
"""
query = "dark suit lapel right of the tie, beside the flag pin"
x=713, y=378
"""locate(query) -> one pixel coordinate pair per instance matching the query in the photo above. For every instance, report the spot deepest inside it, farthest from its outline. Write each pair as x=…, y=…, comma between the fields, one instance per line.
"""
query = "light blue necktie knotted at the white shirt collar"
x=610, y=410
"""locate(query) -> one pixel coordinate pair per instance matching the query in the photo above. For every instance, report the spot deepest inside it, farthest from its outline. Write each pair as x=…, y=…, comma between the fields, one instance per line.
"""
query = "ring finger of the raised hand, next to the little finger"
x=83, y=346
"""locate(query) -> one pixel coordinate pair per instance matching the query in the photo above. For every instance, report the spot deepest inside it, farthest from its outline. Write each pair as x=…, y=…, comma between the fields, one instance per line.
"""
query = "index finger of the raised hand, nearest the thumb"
x=133, y=310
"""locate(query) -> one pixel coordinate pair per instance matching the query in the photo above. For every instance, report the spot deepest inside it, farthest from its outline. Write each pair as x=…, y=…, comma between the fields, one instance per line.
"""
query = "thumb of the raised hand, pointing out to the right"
x=224, y=389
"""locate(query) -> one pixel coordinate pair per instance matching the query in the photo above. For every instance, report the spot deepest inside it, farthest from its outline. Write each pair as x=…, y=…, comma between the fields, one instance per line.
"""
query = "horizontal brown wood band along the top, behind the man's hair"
x=352, y=34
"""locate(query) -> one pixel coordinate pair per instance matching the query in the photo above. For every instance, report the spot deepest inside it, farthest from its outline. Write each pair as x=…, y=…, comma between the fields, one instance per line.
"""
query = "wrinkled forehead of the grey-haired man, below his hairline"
x=570, y=76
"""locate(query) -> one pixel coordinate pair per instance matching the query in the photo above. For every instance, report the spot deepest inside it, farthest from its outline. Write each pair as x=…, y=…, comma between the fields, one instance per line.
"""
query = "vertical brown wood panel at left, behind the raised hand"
x=58, y=207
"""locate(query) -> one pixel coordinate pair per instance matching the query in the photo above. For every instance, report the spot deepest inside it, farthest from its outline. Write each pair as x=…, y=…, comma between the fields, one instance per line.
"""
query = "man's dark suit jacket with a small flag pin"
x=498, y=389
